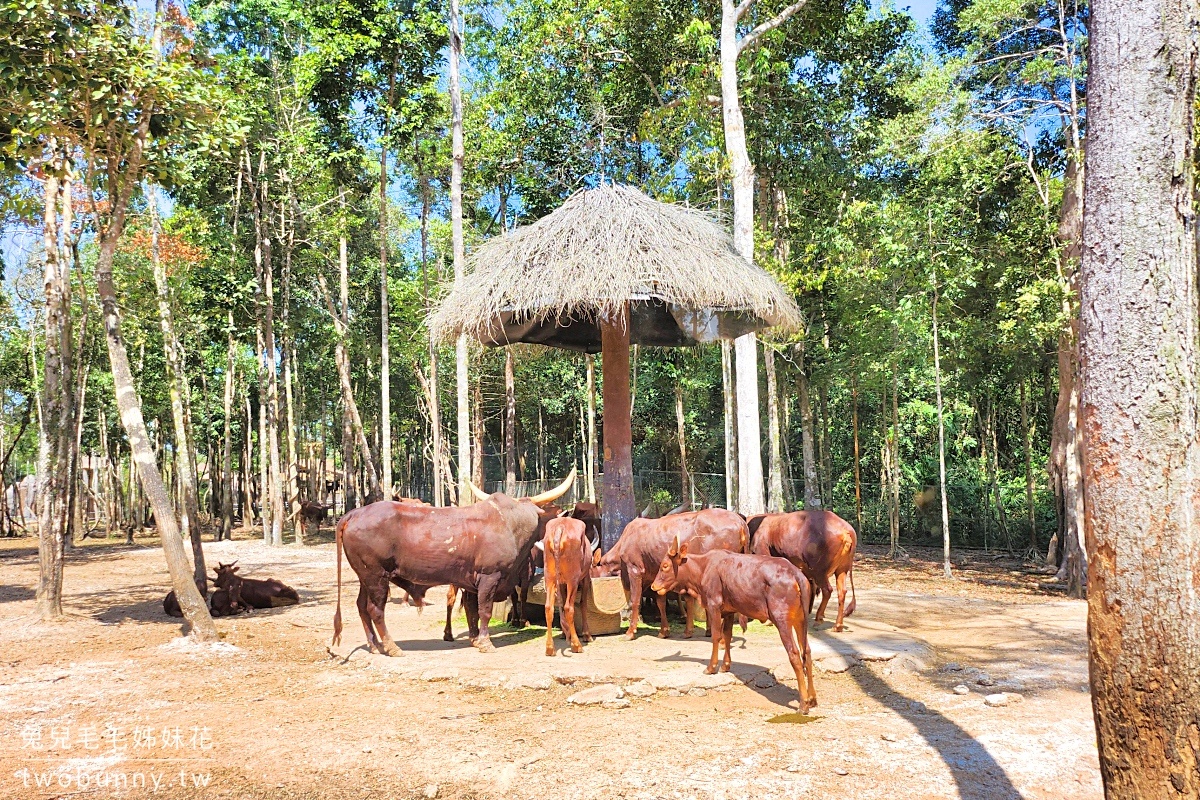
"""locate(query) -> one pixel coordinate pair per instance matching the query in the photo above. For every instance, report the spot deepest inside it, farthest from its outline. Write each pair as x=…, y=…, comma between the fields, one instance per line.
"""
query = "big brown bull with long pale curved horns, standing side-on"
x=478, y=549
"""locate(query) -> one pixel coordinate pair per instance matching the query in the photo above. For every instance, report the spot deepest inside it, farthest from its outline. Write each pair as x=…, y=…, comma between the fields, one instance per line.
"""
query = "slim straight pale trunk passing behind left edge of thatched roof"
x=459, y=250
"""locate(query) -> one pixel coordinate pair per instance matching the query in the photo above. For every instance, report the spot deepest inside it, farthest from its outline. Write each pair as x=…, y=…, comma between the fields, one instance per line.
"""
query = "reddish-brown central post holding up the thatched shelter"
x=619, y=507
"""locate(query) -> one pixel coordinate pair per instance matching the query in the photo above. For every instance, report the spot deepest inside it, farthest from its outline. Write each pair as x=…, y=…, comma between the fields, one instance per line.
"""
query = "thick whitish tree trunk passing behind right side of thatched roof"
x=751, y=490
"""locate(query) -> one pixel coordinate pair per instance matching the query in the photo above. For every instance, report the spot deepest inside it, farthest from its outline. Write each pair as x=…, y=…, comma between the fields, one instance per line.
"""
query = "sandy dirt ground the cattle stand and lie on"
x=113, y=703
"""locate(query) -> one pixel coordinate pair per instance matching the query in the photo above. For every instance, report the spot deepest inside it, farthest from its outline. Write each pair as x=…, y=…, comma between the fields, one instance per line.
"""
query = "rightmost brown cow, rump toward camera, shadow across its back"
x=821, y=544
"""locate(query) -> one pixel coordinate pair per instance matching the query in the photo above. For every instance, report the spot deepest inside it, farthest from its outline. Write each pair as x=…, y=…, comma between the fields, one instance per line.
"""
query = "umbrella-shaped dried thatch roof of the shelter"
x=603, y=248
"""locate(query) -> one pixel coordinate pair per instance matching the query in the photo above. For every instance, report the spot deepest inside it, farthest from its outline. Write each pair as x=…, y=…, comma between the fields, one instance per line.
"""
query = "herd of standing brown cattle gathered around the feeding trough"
x=765, y=568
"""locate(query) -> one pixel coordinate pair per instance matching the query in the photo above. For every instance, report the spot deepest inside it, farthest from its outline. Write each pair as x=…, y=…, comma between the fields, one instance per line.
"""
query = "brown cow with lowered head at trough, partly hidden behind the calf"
x=638, y=554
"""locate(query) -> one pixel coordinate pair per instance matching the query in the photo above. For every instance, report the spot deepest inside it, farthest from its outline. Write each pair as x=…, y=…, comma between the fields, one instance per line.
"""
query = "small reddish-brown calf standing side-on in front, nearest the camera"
x=761, y=587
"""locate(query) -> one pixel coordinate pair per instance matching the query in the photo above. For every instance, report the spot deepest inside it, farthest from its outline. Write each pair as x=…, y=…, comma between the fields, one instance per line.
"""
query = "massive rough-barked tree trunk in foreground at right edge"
x=1139, y=405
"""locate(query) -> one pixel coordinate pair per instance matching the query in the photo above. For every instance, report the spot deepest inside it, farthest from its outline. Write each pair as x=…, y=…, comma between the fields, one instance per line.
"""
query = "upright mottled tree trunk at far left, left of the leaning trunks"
x=57, y=419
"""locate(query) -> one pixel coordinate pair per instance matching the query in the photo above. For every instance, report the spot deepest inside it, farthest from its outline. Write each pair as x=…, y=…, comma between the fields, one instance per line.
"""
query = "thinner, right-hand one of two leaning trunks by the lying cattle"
x=185, y=470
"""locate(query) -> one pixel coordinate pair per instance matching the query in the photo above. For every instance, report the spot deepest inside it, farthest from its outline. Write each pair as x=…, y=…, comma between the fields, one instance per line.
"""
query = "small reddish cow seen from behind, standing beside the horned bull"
x=568, y=563
